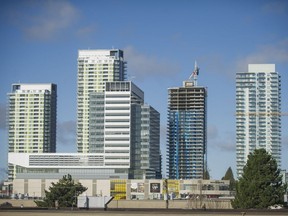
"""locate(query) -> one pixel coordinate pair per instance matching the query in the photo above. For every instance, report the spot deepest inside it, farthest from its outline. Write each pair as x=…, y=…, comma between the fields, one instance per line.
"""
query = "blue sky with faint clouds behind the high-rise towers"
x=161, y=39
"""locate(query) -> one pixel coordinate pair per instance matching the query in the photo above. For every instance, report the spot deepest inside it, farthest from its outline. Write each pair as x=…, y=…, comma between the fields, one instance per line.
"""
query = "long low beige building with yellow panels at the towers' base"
x=132, y=189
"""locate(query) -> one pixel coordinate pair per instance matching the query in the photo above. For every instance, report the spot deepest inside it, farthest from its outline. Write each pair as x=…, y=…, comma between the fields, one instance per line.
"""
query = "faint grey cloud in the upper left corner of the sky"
x=44, y=20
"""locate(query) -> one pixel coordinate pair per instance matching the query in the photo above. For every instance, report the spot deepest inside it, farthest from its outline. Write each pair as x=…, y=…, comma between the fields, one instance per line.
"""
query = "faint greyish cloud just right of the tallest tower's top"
x=142, y=66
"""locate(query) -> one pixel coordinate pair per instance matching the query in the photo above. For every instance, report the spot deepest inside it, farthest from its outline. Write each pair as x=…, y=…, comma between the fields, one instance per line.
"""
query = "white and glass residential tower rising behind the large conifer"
x=258, y=113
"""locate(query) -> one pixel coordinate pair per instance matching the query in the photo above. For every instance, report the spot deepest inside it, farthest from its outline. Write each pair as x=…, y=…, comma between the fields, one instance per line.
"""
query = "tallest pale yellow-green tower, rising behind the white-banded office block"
x=95, y=68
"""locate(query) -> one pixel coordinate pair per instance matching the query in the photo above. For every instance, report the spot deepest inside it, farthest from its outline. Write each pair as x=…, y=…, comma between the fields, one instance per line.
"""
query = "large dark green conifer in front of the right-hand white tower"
x=261, y=183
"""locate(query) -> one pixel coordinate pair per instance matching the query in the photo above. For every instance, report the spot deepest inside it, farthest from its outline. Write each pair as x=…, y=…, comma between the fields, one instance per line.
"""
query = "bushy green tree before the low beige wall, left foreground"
x=64, y=192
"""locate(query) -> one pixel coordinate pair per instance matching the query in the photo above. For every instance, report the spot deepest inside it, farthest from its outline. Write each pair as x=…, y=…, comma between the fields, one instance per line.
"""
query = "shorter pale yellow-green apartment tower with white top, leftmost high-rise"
x=31, y=119
